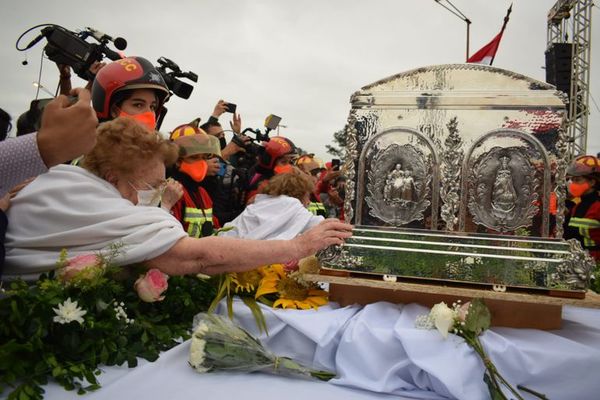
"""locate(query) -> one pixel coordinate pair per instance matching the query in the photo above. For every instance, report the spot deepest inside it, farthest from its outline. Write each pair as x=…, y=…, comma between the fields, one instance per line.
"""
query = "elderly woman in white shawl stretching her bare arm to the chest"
x=110, y=200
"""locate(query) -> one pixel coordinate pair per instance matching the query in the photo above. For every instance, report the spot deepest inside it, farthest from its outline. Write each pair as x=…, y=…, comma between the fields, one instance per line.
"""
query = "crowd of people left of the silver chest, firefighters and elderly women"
x=88, y=175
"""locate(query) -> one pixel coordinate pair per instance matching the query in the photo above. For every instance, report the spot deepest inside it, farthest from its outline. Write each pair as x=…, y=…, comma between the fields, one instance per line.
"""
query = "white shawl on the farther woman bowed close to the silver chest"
x=272, y=217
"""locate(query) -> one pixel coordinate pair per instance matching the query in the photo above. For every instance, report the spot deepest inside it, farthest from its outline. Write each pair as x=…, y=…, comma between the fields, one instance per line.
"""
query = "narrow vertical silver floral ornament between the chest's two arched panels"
x=452, y=158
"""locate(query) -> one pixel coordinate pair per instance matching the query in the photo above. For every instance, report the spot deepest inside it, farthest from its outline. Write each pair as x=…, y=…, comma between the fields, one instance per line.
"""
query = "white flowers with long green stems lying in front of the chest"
x=469, y=320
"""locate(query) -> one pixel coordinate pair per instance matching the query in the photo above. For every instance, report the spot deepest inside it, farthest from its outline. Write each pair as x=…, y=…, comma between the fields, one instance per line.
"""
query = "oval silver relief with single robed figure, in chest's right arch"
x=503, y=189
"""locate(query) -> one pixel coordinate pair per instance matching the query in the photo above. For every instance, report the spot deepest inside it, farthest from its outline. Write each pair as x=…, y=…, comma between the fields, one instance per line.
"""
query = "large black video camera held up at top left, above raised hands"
x=71, y=48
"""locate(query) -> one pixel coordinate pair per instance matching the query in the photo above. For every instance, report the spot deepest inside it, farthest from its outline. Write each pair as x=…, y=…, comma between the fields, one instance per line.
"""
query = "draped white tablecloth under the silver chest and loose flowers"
x=376, y=352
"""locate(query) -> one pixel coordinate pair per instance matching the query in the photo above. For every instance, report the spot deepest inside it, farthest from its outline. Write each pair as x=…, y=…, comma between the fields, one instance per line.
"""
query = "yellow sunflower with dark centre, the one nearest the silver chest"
x=292, y=291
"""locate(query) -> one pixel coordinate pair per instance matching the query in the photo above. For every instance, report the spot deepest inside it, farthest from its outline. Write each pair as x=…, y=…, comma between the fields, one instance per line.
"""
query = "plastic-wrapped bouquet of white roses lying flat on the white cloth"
x=219, y=345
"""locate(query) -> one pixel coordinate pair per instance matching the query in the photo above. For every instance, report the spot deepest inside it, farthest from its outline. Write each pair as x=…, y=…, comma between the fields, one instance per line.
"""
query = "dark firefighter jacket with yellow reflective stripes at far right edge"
x=583, y=224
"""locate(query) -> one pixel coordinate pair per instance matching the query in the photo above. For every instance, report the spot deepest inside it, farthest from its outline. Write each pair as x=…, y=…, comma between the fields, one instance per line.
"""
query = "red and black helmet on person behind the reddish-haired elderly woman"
x=125, y=74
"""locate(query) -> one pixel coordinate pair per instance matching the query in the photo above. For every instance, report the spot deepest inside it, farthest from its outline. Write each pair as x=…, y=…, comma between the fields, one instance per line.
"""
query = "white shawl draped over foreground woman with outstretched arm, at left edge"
x=70, y=208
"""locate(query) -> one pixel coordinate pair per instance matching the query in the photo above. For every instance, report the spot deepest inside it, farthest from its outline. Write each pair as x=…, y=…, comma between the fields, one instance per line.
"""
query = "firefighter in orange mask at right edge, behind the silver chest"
x=583, y=220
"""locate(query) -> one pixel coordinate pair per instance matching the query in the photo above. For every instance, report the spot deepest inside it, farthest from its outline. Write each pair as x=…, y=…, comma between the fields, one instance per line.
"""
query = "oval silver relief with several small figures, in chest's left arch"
x=399, y=184
